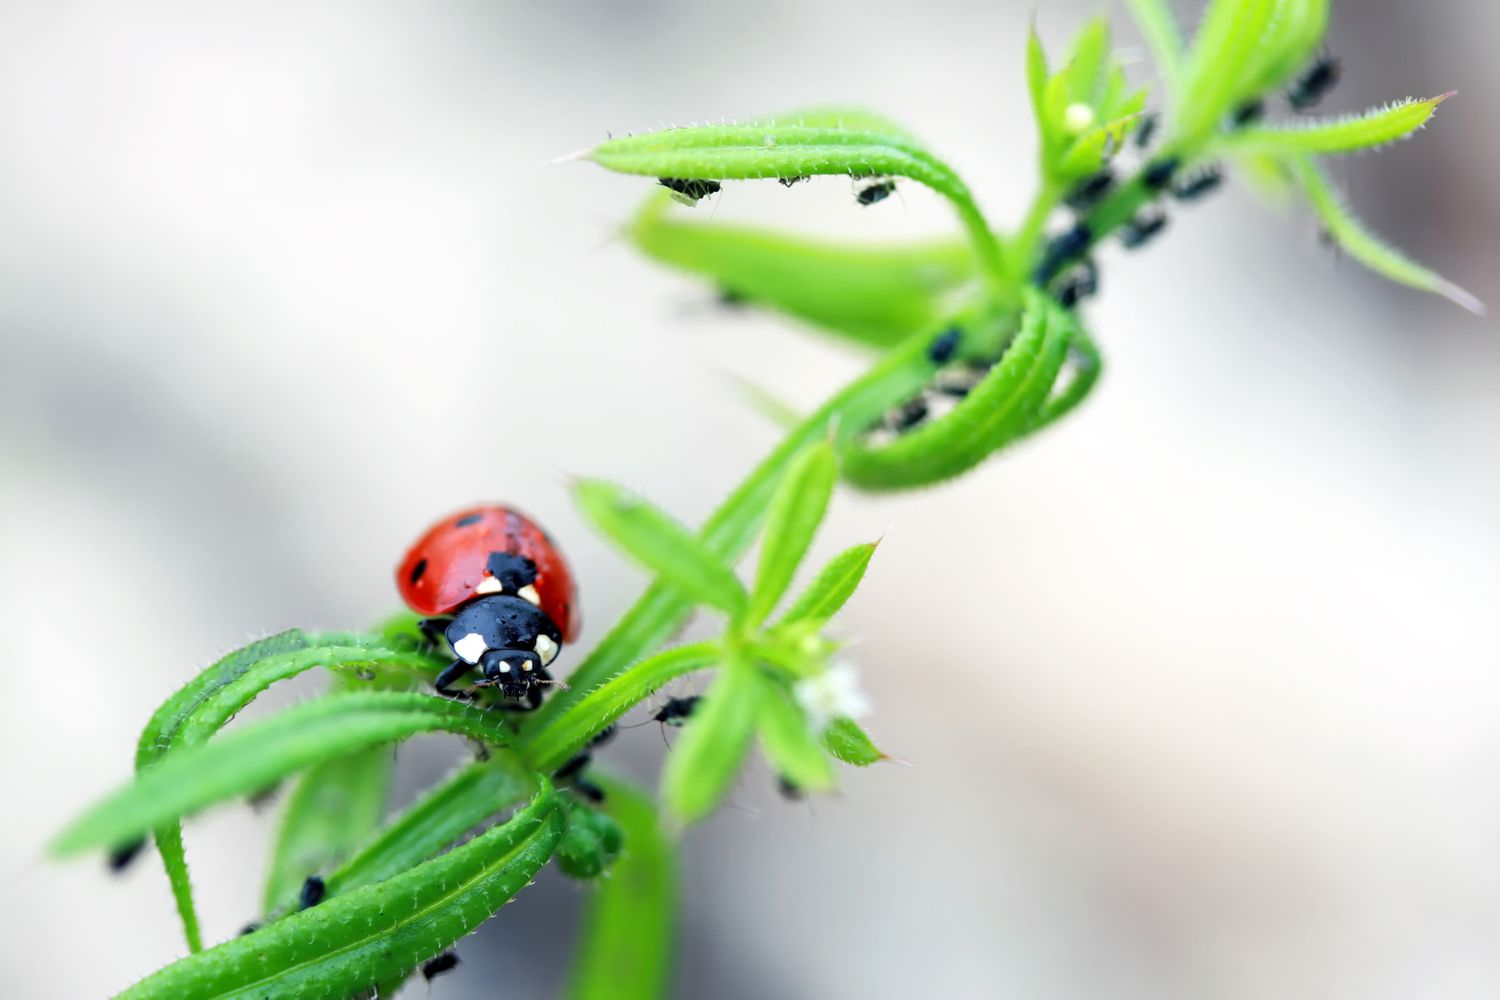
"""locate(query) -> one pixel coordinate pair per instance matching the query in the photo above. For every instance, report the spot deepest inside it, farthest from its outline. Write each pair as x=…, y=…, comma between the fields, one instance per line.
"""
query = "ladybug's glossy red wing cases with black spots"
x=460, y=557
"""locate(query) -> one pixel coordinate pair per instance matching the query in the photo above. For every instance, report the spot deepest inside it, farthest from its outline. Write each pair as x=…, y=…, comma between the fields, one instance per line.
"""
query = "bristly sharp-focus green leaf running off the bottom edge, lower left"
x=373, y=935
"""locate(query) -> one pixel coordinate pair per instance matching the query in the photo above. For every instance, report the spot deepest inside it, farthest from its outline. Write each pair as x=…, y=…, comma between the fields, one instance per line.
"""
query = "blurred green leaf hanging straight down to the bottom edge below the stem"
x=629, y=923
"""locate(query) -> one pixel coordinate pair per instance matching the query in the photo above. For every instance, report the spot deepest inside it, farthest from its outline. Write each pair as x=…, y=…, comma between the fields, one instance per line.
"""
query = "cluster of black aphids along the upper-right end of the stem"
x=1067, y=269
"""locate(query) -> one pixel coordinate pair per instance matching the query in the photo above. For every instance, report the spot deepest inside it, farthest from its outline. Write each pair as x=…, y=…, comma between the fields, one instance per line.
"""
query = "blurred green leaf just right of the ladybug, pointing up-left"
x=661, y=545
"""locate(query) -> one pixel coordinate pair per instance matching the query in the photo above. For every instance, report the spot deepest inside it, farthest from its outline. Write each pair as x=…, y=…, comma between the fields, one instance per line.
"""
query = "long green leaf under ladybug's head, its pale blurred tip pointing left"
x=262, y=755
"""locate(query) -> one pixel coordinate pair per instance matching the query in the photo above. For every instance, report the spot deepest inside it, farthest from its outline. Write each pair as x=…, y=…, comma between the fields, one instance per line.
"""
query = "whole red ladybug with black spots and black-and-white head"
x=494, y=587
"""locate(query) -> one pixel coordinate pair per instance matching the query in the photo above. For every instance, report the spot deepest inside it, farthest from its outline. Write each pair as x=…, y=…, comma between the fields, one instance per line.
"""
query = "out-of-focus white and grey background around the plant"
x=1199, y=689
